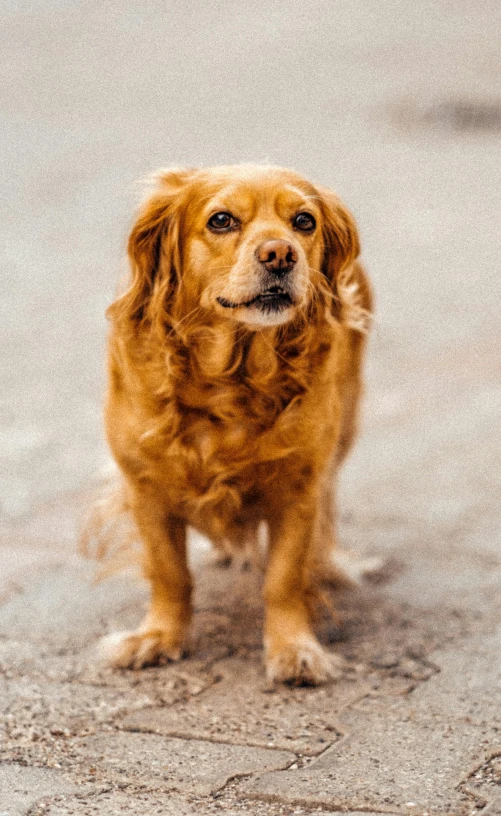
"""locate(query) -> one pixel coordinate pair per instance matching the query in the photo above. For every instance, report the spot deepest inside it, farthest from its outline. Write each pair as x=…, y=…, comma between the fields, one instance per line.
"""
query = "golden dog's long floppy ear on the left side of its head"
x=154, y=253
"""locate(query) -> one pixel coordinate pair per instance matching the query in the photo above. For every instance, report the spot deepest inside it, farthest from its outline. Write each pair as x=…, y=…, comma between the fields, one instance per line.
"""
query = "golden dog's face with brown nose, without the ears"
x=255, y=244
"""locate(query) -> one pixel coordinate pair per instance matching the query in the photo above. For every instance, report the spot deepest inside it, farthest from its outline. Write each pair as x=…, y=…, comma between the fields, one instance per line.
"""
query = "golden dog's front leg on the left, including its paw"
x=161, y=636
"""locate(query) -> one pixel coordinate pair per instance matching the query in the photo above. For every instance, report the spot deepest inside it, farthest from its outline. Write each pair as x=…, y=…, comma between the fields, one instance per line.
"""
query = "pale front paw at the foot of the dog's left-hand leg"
x=134, y=650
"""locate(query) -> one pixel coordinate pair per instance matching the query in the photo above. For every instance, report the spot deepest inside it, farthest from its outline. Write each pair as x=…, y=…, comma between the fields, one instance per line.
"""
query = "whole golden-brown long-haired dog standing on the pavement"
x=234, y=381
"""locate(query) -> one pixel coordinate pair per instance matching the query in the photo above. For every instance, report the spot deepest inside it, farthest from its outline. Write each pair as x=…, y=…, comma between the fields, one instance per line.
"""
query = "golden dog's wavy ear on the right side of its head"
x=342, y=247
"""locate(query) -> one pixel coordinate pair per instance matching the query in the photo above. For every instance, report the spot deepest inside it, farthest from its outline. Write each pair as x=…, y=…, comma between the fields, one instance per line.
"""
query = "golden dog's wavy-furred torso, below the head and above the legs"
x=219, y=444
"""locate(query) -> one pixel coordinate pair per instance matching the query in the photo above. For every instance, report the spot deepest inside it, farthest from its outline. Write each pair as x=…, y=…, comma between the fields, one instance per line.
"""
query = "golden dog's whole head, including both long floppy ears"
x=257, y=245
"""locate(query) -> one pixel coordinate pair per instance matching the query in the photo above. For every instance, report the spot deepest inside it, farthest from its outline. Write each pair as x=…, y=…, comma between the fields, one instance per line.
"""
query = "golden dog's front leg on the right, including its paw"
x=293, y=653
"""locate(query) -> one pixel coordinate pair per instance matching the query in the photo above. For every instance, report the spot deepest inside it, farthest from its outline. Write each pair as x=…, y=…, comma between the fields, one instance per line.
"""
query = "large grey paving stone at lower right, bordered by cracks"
x=414, y=749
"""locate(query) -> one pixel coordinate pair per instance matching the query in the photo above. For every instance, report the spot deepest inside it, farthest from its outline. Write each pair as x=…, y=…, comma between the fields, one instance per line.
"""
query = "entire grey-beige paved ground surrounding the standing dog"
x=397, y=106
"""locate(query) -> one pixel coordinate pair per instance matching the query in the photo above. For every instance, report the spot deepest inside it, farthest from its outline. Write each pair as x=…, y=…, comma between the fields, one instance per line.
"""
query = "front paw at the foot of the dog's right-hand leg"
x=302, y=662
